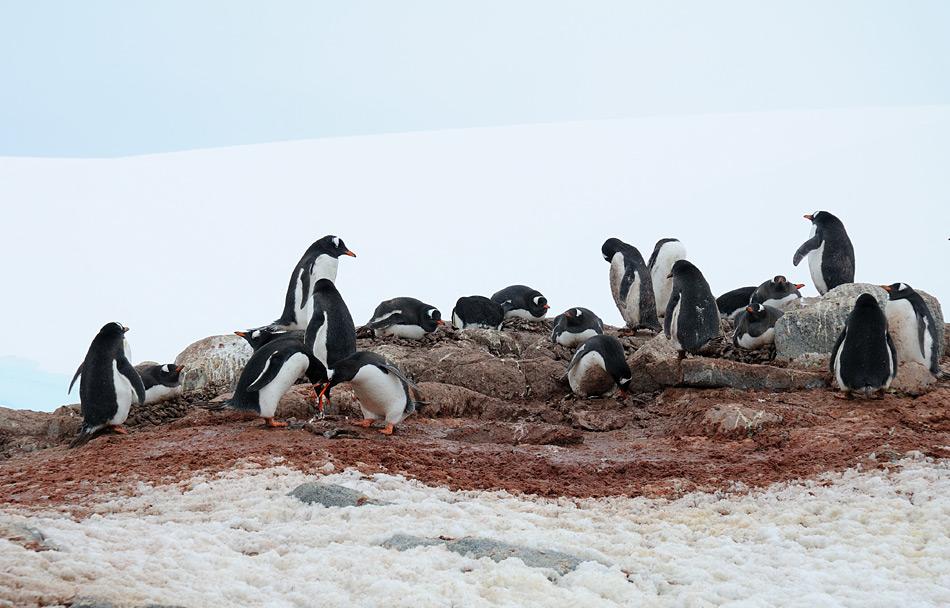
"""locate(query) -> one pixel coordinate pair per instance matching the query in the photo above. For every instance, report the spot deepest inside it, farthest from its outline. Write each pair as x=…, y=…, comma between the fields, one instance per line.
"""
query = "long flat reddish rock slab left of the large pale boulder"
x=702, y=372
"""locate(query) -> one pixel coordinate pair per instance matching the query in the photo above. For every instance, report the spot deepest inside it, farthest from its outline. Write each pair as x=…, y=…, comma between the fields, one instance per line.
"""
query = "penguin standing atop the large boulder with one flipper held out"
x=830, y=253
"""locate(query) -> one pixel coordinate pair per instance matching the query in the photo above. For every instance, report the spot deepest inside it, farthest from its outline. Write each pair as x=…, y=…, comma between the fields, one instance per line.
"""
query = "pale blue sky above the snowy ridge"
x=111, y=78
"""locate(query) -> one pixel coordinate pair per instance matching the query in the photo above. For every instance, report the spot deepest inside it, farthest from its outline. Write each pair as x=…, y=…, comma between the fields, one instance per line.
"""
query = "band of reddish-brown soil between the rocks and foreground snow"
x=665, y=449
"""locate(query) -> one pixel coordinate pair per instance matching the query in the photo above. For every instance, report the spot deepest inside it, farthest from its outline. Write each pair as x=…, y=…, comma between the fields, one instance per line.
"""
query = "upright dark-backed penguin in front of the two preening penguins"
x=692, y=318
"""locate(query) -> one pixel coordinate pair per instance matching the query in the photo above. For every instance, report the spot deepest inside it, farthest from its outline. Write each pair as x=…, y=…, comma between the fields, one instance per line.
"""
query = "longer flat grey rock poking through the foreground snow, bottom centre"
x=561, y=563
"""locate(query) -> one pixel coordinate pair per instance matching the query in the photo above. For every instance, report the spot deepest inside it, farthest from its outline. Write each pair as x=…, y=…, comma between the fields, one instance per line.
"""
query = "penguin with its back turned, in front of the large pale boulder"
x=863, y=359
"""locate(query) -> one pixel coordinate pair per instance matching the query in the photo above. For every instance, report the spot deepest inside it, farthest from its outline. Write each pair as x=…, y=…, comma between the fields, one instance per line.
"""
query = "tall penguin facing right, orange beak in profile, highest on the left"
x=320, y=261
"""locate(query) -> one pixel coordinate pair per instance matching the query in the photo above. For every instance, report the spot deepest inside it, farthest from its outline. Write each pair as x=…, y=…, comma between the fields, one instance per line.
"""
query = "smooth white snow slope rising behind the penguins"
x=186, y=245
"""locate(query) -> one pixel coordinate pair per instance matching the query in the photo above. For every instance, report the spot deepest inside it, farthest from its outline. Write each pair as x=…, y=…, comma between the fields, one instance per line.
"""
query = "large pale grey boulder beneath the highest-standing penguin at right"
x=805, y=336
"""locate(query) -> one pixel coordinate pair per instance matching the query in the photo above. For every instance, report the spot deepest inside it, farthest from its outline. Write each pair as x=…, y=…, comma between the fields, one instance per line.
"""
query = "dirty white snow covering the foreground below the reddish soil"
x=851, y=539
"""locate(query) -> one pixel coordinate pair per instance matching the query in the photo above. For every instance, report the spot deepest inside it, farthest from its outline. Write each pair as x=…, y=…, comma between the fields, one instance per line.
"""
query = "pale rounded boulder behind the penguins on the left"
x=215, y=361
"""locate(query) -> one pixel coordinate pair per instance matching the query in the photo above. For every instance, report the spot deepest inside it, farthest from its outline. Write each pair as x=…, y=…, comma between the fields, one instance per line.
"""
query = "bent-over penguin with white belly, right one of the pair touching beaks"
x=382, y=389
